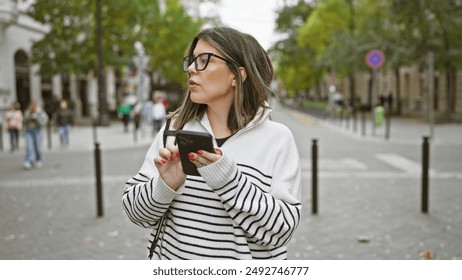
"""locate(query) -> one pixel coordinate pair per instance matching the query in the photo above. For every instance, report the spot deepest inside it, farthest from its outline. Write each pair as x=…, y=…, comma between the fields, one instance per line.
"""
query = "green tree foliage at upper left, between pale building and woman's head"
x=70, y=46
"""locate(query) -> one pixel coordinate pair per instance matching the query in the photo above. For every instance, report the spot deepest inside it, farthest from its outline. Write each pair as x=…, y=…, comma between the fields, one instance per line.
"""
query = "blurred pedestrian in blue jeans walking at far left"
x=34, y=119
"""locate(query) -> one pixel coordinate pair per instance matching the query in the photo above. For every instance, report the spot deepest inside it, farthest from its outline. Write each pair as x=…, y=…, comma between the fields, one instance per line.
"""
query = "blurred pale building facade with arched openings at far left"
x=21, y=82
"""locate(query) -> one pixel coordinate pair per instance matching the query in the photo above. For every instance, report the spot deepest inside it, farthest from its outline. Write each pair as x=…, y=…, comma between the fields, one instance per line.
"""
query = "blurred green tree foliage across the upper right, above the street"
x=336, y=34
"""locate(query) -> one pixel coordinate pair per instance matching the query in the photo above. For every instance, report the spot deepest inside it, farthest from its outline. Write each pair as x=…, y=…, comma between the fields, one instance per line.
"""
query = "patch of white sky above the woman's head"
x=256, y=17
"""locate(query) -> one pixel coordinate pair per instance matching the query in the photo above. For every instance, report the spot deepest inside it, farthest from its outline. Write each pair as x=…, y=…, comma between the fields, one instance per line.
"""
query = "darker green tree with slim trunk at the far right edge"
x=433, y=26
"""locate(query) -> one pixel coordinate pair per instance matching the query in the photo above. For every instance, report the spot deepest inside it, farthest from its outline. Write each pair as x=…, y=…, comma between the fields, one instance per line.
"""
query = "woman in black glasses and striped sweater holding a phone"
x=246, y=203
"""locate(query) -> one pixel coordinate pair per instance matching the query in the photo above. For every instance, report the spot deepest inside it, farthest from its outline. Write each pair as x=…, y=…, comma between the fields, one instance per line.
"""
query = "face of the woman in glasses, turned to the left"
x=215, y=84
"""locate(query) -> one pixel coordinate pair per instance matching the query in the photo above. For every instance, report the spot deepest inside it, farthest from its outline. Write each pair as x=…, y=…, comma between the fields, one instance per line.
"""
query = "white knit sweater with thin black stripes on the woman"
x=244, y=206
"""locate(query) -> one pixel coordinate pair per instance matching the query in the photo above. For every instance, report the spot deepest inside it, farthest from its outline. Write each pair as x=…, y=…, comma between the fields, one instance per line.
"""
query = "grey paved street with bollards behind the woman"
x=369, y=195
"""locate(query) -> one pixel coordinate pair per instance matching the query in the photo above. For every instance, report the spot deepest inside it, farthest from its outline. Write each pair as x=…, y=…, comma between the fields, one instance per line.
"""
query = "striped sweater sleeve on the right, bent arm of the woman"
x=266, y=206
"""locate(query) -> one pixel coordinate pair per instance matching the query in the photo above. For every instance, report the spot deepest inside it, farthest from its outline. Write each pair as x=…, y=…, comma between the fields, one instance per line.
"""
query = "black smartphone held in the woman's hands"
x=192, y=141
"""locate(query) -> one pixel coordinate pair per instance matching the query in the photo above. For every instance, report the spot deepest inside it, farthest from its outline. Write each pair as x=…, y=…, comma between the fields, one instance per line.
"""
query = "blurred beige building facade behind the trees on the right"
x=409, y=91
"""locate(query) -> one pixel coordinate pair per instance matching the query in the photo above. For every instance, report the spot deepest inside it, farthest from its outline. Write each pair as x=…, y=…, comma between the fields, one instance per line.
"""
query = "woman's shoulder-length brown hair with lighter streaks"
x=241, y=50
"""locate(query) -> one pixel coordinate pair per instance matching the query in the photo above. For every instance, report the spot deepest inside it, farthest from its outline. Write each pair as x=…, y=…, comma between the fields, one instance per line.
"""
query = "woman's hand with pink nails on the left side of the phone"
x=169, y=165
